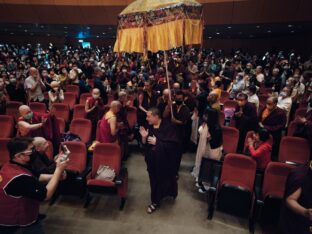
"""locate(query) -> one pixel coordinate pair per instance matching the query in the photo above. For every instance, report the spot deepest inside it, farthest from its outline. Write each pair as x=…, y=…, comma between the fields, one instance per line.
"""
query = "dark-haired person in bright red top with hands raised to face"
x=260, y=148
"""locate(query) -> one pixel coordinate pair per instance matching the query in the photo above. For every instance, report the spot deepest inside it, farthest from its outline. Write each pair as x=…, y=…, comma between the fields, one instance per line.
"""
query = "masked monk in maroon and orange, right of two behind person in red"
x=274, y=120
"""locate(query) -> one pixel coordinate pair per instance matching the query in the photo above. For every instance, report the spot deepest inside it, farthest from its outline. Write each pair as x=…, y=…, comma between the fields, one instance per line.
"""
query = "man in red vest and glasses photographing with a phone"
x=21, y=191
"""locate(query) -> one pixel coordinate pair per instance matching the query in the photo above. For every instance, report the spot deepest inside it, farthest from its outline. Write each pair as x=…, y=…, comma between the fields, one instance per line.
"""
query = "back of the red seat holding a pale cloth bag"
x=107, y=154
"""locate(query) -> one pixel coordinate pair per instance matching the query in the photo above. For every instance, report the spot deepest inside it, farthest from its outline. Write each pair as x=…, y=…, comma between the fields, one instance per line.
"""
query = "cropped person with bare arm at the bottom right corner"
x=296, y=212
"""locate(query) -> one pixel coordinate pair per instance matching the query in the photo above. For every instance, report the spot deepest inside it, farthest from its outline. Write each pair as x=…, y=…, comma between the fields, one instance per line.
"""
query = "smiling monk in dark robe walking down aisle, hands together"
x=160, y=143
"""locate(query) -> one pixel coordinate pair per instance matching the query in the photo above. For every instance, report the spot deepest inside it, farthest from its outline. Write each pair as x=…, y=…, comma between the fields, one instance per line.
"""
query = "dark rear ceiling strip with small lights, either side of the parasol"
x=228, y=31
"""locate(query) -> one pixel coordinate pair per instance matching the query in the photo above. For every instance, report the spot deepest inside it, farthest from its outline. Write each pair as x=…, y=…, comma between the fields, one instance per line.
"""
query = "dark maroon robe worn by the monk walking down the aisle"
x=161, y=162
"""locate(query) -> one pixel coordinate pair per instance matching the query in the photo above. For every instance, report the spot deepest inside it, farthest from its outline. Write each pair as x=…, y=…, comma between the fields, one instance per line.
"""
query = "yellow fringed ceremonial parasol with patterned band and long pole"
x=159, y=25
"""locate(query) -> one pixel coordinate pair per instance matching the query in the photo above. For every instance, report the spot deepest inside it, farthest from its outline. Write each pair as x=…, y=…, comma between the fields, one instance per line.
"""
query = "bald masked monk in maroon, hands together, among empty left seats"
x=94, y=108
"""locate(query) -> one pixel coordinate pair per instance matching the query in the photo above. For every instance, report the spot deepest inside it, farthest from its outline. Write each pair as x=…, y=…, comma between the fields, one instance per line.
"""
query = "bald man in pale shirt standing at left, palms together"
x=34, y=86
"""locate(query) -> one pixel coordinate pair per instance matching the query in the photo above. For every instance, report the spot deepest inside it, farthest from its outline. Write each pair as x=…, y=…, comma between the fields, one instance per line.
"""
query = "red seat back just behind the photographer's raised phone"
x=77, y=157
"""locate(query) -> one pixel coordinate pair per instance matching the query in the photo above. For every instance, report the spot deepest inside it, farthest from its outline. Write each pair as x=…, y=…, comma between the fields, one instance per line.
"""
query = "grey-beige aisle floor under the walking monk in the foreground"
x=184, y=216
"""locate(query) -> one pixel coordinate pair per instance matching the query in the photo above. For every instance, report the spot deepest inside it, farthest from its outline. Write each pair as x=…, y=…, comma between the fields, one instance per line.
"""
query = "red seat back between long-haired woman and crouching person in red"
x=230, y=139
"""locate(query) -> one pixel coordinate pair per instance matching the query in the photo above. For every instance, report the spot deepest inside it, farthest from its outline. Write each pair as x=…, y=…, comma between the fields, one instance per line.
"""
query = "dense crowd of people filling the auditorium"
x=173, y=118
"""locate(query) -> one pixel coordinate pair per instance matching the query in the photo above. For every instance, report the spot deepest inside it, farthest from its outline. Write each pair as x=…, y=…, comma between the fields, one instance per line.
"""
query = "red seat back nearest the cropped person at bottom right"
x=275, y=177
